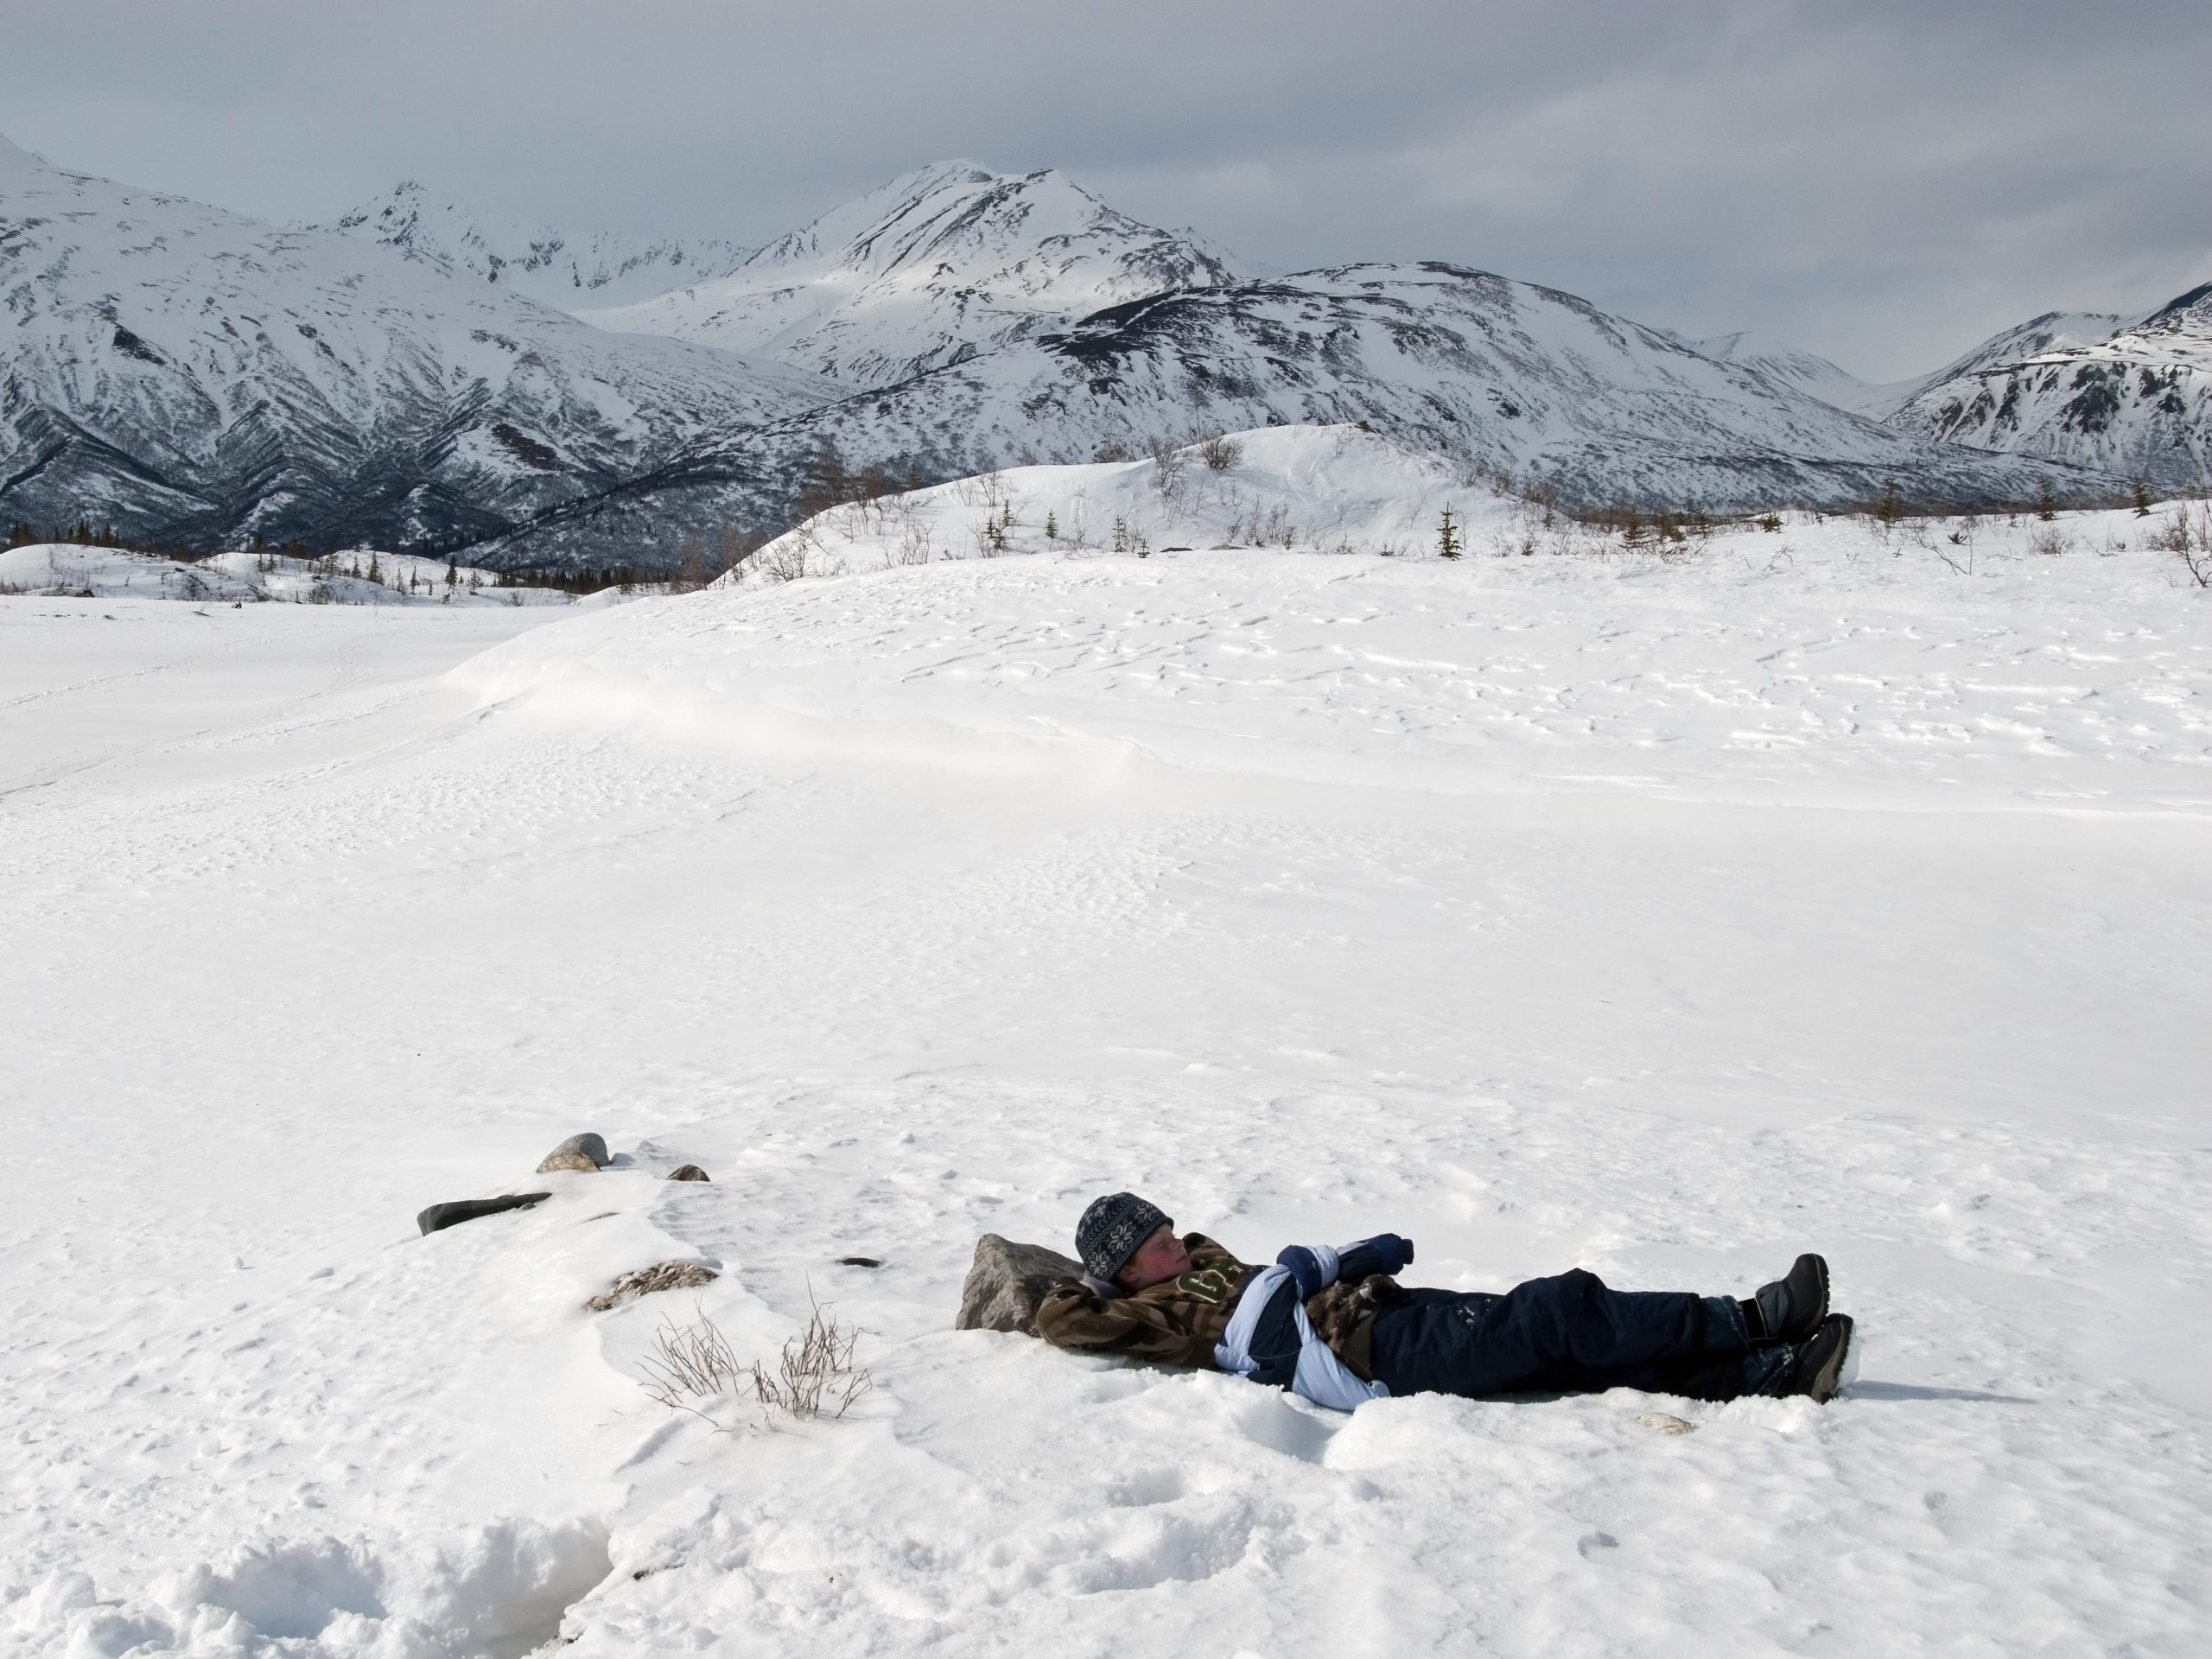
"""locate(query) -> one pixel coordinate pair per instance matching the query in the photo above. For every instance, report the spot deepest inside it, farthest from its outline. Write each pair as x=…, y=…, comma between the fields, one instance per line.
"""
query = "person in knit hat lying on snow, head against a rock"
x=1337, y=1328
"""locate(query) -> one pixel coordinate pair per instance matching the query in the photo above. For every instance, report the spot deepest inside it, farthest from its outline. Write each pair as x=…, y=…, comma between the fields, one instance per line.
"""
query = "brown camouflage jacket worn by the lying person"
x=1180, y=1322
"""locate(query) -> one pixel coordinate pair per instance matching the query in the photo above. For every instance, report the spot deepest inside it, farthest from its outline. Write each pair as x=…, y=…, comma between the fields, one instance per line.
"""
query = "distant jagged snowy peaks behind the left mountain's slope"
x=552, y=267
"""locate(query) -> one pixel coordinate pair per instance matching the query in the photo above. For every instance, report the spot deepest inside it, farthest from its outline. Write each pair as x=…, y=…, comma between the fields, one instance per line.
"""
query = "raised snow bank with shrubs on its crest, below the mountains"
x=1817, y=662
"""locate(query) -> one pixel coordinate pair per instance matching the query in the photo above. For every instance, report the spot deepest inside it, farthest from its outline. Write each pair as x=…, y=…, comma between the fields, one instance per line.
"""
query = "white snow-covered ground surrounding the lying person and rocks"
x=1662, y=917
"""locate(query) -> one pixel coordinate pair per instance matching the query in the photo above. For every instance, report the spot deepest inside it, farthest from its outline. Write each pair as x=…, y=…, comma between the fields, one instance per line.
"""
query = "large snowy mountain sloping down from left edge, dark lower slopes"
x=189, y=375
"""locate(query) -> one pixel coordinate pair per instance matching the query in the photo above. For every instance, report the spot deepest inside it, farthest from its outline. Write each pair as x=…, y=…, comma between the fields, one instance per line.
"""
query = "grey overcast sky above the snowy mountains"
x=1879, y=182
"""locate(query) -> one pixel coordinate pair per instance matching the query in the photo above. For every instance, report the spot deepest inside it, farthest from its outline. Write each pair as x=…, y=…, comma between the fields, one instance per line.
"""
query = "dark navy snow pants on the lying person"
x=1565, y=1335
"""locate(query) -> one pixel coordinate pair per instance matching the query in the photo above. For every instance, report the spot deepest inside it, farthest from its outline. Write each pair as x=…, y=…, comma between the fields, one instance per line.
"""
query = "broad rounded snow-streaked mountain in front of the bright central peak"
x=1512, y=377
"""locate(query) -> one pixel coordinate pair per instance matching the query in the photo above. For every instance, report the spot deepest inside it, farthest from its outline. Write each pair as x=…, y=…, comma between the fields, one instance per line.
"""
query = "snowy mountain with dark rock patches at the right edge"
x=2131, y=397
